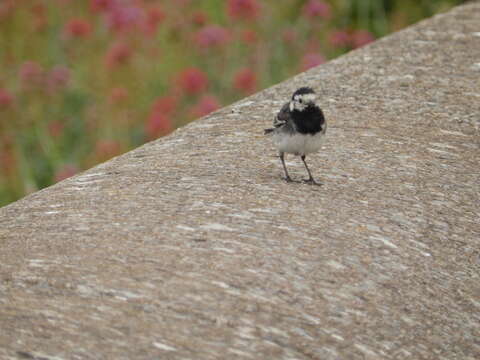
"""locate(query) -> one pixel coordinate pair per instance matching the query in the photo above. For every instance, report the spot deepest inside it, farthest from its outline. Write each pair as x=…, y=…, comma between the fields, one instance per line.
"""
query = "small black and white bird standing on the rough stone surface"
x=299, y=128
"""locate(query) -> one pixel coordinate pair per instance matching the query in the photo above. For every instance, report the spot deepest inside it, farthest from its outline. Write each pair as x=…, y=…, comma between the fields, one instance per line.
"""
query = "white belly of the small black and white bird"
x=298, y=144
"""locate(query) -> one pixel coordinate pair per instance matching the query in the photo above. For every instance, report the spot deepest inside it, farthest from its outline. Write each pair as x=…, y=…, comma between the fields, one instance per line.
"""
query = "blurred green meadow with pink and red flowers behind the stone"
x=82, y=81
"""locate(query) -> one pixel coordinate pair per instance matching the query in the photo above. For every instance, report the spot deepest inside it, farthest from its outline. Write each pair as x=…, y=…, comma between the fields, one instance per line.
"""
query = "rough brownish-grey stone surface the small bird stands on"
x=192, y=247
